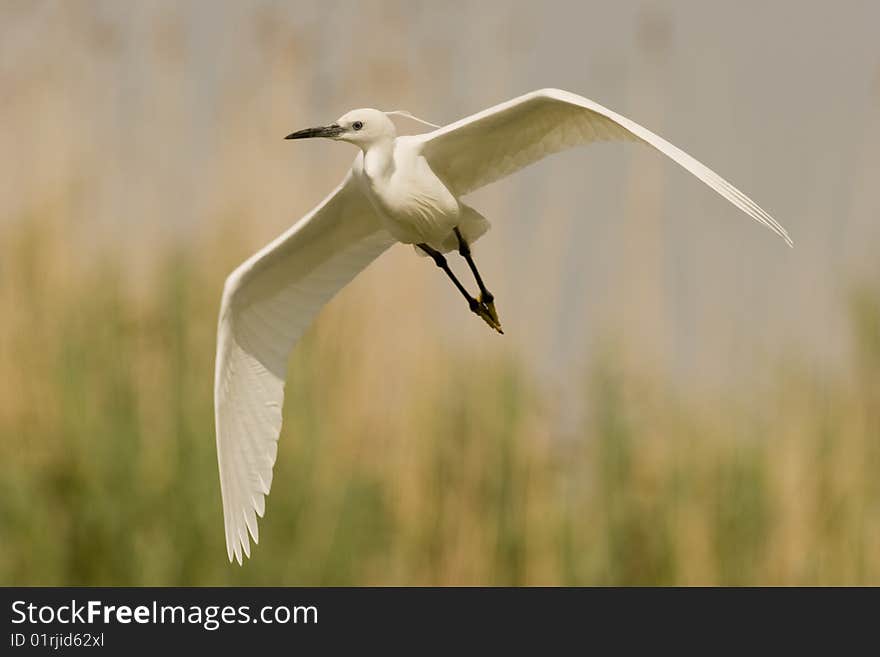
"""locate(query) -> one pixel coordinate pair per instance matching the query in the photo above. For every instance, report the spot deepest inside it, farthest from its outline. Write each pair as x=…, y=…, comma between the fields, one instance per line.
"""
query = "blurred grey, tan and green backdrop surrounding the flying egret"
x=678, y=399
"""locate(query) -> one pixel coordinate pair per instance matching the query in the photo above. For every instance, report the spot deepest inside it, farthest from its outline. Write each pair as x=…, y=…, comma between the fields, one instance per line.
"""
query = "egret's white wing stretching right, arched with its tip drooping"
x=496, y=142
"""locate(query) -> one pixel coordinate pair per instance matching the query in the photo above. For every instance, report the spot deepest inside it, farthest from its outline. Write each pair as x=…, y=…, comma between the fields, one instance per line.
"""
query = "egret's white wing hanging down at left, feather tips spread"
x=268, y=302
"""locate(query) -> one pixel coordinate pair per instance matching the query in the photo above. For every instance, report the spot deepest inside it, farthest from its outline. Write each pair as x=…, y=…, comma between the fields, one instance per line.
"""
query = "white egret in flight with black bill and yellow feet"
x=399, y=189
